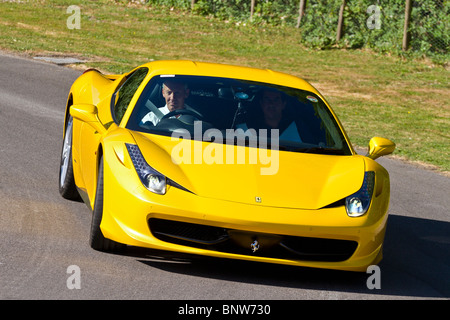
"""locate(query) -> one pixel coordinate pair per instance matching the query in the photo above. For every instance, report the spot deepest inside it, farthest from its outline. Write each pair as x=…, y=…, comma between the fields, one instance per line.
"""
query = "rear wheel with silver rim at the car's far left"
x=67, y=187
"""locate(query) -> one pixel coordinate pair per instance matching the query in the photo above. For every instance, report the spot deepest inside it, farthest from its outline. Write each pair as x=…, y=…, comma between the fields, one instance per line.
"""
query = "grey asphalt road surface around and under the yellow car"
x=42, y=235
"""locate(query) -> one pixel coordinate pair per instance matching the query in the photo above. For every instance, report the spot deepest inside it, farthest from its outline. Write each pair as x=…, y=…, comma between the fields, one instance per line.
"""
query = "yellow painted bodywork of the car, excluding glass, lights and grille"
x=301, y=200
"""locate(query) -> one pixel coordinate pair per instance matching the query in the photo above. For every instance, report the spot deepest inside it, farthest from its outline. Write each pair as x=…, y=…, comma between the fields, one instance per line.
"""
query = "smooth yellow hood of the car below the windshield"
x=289, y=180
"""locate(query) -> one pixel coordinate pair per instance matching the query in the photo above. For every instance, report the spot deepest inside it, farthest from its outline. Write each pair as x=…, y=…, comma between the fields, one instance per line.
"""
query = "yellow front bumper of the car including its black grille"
x=184, y=222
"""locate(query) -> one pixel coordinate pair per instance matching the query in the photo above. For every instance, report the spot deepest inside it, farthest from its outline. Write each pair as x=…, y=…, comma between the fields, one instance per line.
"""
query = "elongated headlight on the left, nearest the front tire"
x=151, y=179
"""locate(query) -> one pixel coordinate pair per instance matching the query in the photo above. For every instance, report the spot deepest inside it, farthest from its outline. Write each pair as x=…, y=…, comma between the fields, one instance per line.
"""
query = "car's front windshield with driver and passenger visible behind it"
x=225, y=110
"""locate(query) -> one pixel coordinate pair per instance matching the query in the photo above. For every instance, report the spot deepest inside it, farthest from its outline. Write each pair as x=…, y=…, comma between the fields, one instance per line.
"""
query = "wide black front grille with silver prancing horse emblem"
x=240, y=241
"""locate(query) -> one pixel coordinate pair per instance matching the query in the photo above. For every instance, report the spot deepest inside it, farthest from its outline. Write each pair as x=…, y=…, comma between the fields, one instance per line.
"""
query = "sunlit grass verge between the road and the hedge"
x=373, y=94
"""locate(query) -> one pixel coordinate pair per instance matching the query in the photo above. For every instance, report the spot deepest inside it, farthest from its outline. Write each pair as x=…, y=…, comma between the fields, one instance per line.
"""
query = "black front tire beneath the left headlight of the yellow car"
x=97, y=241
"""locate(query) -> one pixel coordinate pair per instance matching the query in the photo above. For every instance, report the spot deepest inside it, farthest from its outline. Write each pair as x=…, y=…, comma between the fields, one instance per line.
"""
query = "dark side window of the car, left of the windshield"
x=126, y=92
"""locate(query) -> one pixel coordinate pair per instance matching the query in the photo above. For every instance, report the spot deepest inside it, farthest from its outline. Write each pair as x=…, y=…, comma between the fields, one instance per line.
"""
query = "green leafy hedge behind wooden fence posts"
x=429, y=22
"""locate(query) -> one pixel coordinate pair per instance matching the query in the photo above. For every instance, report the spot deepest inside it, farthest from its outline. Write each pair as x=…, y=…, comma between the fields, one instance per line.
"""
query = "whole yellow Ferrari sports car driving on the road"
x=222, y=161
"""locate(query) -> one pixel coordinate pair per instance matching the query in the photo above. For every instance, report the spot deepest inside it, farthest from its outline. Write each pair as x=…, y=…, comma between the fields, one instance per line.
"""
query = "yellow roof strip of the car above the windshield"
x=187, y=67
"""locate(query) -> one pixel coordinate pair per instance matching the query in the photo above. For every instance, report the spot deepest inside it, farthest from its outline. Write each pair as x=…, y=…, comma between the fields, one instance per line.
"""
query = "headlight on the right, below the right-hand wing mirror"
x=358, y=203
